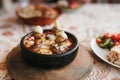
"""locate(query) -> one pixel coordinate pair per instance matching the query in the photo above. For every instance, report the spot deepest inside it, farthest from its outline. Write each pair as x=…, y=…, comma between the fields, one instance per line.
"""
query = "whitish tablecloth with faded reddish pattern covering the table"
x=86, y=23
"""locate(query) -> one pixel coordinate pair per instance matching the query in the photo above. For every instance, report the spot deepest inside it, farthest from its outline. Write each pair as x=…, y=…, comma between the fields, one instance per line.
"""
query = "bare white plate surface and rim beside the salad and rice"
x=101, y=53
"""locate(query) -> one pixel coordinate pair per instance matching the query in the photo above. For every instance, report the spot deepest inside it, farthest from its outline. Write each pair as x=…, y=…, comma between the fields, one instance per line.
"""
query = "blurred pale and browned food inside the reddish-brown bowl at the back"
x=37, y=11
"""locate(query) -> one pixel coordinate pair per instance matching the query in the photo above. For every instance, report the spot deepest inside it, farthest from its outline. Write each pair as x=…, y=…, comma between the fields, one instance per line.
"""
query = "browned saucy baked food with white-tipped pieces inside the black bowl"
x=54, y=41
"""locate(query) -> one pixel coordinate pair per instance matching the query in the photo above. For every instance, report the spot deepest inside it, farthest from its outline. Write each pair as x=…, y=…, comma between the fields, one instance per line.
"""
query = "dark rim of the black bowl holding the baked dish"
x=53, y=55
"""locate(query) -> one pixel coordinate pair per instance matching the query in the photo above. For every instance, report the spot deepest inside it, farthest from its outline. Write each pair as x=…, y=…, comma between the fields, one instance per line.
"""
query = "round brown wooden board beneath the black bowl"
x=77, y=70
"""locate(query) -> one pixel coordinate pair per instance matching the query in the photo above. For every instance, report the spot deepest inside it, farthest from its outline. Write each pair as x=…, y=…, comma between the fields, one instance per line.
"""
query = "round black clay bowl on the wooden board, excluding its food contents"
x=49, y=61
